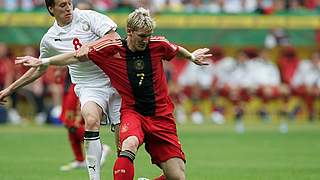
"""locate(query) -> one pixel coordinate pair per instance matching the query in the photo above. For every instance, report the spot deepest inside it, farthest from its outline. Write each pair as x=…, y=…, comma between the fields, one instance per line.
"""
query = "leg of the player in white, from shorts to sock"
x=94, y=103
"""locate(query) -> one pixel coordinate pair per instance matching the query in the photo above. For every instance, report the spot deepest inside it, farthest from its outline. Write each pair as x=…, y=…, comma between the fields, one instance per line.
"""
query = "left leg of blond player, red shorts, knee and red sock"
x=131, y=136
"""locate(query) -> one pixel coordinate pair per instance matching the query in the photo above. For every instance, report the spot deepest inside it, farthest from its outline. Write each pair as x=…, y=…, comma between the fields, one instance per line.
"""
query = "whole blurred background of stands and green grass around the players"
x=253, y=113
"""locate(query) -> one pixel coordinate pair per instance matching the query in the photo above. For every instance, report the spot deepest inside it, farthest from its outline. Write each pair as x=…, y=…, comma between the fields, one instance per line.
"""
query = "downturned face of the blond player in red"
x=140, y=39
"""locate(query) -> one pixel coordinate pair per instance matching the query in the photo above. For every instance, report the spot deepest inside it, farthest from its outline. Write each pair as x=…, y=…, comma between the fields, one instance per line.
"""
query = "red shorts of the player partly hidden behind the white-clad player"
x=70, y=108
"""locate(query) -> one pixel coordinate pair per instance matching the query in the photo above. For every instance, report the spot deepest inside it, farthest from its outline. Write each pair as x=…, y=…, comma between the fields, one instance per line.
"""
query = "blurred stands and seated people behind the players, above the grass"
x=265, y=65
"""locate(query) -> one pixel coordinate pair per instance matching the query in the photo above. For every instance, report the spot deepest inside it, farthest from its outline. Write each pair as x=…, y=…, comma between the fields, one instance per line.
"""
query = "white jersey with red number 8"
x=86, y=26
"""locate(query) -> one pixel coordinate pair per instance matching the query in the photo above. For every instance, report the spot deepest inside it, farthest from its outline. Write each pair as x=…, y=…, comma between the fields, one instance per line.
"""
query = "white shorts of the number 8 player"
x=107, y=98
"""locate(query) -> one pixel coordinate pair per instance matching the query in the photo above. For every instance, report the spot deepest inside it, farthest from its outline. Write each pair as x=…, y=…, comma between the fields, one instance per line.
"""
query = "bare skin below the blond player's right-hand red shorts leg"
x=173, y=168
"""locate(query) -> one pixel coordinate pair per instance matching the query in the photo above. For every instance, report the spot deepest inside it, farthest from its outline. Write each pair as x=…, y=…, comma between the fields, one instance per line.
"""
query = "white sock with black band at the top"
x=93, y=151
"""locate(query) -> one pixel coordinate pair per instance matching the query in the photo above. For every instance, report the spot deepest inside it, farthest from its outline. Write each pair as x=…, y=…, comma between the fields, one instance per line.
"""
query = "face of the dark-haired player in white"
x=62, y=11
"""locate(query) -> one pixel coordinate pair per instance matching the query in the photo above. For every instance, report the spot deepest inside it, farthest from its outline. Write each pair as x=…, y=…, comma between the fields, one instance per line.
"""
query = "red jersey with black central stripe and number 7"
x=138, y=76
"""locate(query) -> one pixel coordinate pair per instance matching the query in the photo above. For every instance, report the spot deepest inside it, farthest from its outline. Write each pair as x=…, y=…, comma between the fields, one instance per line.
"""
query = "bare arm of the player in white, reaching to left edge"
x=31, y=75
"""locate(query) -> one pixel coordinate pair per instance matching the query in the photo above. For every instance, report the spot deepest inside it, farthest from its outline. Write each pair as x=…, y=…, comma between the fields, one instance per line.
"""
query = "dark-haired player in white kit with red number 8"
x=71, y=29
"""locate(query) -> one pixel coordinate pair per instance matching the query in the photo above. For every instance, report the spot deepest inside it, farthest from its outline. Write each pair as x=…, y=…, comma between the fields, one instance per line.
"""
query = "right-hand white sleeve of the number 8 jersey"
x=99, y=23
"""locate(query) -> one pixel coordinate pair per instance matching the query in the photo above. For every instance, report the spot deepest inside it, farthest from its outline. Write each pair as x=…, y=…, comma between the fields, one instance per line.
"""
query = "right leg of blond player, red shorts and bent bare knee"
x=163, y=145
